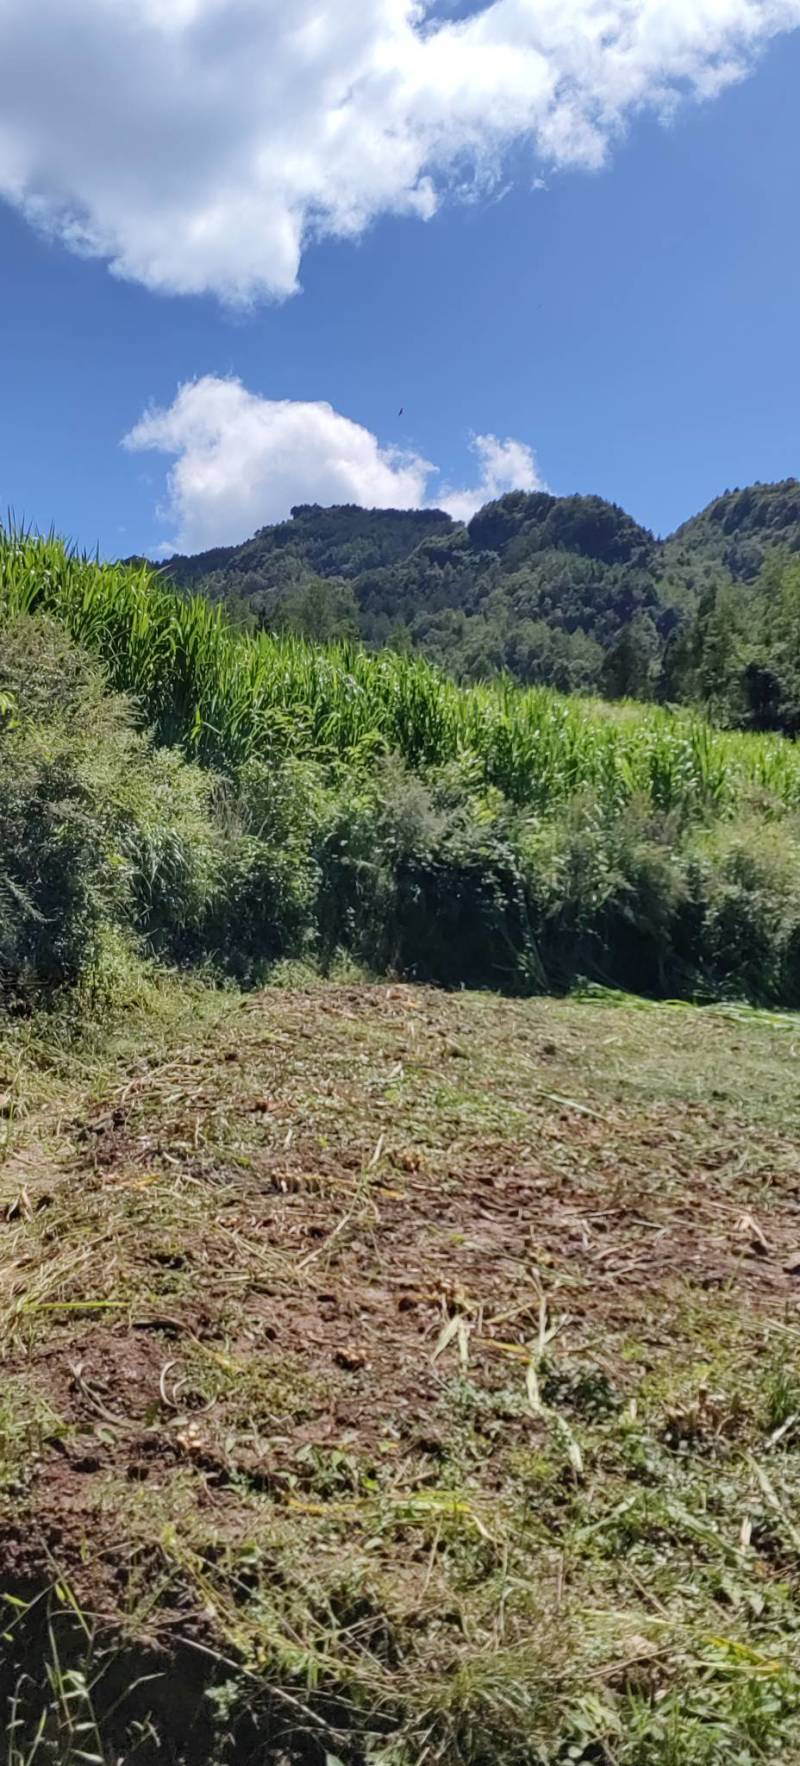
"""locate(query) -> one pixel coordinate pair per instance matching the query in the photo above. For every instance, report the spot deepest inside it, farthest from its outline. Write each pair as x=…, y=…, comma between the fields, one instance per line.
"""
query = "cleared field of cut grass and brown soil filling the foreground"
x=395, y=1378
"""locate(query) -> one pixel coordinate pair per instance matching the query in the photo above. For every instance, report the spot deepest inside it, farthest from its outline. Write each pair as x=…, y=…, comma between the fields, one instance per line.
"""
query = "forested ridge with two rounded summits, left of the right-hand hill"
x=534, y=585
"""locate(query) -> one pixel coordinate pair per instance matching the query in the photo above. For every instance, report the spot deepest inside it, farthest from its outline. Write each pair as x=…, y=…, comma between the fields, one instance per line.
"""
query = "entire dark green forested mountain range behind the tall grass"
x=566, y=592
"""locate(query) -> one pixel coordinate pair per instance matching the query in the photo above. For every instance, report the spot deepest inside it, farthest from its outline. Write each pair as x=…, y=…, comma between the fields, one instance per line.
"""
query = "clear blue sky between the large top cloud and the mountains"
x=635, y=326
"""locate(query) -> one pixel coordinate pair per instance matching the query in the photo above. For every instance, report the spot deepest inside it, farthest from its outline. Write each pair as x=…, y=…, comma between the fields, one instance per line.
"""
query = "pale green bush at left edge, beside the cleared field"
x=98, y=829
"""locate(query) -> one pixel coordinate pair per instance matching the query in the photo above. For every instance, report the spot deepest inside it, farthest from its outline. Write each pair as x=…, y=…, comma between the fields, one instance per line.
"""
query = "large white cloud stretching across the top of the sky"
x=199, y=144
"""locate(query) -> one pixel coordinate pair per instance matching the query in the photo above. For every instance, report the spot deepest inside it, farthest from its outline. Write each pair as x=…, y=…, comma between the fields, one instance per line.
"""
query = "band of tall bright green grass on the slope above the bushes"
x=229, y=697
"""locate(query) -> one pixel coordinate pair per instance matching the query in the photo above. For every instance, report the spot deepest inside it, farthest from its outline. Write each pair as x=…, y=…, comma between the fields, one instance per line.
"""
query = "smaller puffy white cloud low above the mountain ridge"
x=243, y=462
